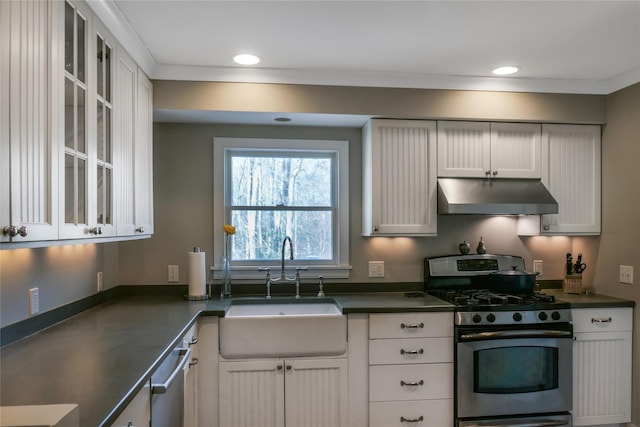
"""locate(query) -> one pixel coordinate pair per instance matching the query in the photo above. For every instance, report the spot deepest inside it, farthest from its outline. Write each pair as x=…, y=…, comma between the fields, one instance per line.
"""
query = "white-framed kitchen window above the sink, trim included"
x=272, y=188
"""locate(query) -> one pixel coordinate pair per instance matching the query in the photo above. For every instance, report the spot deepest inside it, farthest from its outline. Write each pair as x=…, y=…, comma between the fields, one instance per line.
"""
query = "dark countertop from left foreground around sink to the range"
x=101, y=357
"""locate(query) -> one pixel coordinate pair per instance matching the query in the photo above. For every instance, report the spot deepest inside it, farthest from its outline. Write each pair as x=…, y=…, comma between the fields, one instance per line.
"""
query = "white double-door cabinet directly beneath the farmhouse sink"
x=279, y=392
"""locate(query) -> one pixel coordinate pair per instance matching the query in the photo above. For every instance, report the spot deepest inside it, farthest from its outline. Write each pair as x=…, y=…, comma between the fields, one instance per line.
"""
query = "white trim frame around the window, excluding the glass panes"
x=341, y=269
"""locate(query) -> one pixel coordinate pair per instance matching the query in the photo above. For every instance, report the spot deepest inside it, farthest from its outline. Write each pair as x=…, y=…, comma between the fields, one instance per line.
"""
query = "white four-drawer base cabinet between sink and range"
x=411, y=369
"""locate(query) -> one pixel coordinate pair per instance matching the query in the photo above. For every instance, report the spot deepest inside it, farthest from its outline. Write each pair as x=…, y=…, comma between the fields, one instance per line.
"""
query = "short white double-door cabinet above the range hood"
x=482, y=149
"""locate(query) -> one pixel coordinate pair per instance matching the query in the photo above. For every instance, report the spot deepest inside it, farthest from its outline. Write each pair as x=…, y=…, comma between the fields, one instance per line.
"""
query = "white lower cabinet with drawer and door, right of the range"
x=602, y=365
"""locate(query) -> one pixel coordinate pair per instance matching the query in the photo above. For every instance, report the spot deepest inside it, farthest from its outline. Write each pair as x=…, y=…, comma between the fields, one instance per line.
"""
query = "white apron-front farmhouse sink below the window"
x=260, y=328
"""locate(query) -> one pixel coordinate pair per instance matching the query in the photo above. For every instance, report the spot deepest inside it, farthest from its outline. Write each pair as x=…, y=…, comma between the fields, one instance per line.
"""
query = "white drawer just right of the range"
x=602, y=319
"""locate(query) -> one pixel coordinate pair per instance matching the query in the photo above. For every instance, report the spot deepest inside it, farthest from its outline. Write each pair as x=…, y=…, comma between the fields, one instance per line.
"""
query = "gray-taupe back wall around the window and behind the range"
x=184, y=198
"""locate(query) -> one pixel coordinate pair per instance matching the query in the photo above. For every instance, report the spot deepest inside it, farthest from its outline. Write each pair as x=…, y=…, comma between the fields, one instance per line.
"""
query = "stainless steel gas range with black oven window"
x=513, y=352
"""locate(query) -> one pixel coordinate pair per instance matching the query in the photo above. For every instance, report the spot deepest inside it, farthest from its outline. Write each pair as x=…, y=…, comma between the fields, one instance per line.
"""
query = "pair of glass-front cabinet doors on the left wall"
x=88, y=152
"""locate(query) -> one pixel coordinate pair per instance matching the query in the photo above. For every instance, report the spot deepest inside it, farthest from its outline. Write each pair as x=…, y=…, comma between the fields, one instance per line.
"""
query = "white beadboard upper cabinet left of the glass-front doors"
x=30, y=125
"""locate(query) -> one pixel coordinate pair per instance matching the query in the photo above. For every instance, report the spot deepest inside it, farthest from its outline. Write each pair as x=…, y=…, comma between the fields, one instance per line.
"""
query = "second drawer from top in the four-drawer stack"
x=394, y=351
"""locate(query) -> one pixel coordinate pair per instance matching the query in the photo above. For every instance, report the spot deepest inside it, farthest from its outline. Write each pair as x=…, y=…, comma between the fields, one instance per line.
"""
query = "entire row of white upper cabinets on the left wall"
x=57, y=116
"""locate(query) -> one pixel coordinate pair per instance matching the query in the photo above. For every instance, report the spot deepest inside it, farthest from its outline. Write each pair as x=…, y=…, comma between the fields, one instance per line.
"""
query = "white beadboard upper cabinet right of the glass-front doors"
x=133, y=139
